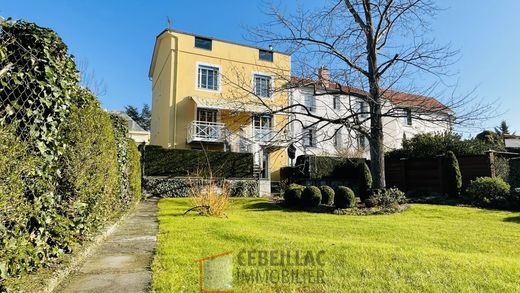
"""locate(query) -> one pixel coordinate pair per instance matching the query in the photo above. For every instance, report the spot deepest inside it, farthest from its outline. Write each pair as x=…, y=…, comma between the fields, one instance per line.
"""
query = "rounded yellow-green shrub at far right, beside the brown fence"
x=489, y=192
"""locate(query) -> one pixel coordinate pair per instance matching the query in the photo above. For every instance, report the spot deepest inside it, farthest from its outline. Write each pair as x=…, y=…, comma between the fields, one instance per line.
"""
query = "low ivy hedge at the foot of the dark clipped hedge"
x=181, y=187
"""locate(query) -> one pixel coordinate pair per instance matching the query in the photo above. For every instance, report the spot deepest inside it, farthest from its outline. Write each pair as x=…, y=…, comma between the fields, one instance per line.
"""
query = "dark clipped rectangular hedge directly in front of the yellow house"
x=159, y=161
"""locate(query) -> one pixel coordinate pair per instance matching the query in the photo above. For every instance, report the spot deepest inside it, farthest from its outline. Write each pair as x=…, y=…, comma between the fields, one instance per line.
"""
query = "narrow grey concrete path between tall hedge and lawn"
x=121, y=263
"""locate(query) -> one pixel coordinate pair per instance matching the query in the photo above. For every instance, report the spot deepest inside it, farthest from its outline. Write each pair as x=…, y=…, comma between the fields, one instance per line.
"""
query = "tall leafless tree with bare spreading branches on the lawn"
x=371, y=47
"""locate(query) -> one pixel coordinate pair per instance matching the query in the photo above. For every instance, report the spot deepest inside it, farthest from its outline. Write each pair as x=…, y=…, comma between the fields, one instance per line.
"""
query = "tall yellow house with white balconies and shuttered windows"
x=219, y=95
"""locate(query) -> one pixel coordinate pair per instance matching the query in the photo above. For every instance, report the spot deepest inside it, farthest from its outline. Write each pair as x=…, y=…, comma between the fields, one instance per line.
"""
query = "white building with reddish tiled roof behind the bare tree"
x=408, y=115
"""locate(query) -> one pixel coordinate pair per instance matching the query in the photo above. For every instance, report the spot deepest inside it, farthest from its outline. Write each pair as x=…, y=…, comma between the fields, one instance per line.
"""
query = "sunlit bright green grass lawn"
x=426, y=248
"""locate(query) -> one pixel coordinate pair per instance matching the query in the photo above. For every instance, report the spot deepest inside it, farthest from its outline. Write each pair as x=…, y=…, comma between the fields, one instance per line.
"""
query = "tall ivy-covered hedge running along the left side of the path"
x=62, y=174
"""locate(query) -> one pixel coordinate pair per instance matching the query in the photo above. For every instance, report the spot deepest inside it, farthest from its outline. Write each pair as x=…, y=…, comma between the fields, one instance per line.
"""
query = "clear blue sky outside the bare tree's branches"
x=116, y=39
